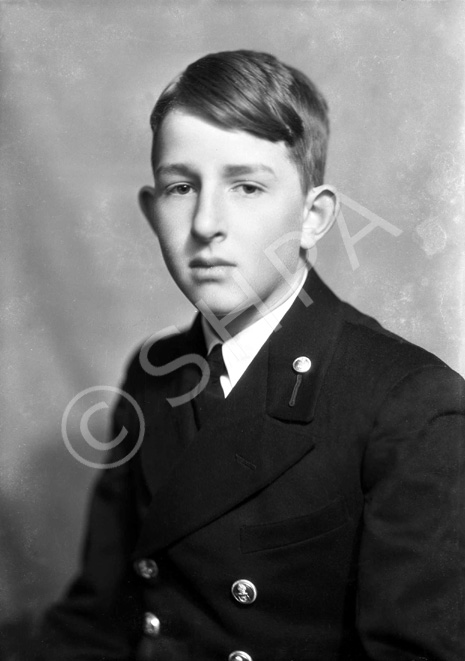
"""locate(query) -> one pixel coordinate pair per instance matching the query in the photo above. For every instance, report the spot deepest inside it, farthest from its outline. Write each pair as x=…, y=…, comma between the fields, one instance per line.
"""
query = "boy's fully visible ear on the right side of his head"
x=321, y=209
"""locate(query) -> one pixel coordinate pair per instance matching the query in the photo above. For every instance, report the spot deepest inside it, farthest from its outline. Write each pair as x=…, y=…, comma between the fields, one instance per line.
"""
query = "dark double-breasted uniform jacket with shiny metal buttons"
x=329, y=530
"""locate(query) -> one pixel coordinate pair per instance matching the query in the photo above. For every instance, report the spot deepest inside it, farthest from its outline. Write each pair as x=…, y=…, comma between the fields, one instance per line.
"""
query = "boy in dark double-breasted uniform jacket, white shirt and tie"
x=297, y=496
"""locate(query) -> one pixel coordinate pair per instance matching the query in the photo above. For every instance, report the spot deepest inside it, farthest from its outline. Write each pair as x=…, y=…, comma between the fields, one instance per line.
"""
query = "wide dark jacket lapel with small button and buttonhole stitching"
x=251, y=440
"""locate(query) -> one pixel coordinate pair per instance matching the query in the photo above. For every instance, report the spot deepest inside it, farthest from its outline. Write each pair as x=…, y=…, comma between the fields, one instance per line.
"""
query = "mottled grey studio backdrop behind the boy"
x=83, y=280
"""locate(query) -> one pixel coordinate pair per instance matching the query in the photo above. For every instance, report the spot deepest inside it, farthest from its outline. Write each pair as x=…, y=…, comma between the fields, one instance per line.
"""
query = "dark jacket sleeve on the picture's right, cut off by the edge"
x=412, y=557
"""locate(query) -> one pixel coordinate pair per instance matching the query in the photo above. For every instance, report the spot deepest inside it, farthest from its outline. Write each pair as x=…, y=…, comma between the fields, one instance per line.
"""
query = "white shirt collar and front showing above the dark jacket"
x=240, y=349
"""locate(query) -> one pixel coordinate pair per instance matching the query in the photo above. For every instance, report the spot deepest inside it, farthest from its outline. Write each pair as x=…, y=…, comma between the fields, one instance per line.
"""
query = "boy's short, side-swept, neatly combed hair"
x=254, y=92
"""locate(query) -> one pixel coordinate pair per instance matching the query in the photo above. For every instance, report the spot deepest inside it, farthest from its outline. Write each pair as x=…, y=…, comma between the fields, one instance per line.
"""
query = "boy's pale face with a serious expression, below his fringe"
x=222, y=199
